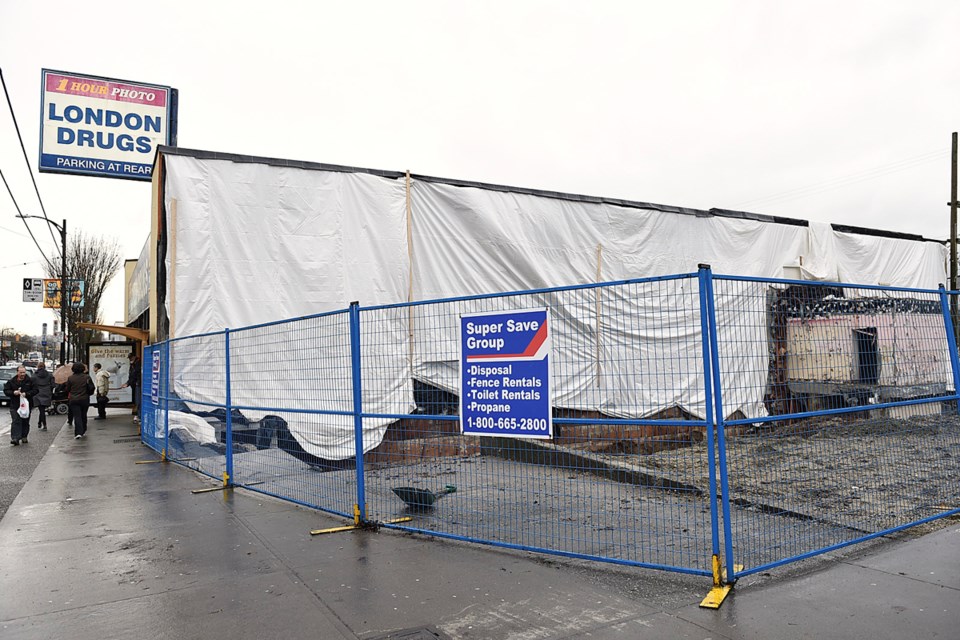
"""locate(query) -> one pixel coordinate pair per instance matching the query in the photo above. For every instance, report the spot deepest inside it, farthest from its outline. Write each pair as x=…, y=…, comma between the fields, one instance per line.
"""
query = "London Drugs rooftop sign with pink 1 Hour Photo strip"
x=103, y=127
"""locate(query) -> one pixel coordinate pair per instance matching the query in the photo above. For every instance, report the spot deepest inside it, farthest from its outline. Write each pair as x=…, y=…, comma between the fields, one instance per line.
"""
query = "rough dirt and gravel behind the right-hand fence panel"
x=870, y=475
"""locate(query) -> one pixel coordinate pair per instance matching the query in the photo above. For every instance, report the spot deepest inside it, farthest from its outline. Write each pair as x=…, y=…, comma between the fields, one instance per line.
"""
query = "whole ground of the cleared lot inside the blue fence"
x=793, y=490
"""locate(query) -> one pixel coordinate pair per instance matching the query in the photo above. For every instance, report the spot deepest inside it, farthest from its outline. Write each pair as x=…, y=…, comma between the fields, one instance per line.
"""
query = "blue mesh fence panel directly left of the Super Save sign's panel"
x=293, y=411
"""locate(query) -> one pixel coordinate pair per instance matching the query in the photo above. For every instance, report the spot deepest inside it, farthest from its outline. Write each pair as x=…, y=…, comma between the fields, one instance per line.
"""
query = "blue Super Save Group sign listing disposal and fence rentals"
x=505, y=374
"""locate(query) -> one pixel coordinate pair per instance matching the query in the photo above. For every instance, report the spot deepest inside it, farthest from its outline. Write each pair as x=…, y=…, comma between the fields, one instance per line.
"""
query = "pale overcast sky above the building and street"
x=831, y=111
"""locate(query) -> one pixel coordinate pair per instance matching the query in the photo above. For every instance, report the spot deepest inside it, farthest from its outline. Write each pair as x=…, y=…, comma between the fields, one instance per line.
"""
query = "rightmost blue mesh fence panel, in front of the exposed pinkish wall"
x=860, y=436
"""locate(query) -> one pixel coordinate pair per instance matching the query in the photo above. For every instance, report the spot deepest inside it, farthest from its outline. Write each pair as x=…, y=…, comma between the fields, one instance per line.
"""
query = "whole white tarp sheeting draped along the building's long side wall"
x=257, y=242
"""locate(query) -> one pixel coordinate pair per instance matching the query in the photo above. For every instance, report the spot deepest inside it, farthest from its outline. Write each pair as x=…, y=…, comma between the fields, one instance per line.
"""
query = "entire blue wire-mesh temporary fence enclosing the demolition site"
x=762, y=420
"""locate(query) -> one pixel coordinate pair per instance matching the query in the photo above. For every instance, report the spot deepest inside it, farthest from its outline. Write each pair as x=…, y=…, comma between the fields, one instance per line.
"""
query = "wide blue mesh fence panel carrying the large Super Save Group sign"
x=591, y=489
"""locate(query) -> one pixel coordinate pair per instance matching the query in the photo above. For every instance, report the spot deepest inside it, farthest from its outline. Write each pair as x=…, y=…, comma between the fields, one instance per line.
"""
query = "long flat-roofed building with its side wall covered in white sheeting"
x=239, y=240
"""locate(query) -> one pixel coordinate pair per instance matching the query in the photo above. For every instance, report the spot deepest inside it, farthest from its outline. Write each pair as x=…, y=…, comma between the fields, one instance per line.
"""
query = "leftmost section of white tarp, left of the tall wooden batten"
x=257, y=243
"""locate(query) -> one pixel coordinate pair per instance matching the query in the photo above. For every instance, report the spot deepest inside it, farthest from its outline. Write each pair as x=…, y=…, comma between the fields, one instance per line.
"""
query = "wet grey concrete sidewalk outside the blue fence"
x=96, y=546
